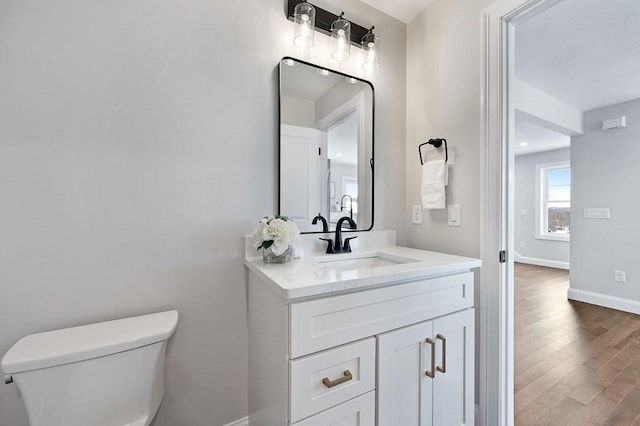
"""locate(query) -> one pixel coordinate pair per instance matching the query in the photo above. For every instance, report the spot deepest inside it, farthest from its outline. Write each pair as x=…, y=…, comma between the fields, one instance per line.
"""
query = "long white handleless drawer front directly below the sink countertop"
x=324, y=323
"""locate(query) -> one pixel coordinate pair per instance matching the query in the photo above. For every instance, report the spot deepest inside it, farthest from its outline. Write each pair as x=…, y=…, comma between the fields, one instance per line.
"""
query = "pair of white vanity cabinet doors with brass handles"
x=426, y=373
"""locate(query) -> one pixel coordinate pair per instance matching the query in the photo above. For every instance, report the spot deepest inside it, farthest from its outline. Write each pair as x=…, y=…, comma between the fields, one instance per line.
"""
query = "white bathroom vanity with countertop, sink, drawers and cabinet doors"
x=380, y=336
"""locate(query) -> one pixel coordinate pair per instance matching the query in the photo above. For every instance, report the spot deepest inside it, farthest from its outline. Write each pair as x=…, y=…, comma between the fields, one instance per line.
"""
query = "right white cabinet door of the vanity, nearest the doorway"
x=453, y=399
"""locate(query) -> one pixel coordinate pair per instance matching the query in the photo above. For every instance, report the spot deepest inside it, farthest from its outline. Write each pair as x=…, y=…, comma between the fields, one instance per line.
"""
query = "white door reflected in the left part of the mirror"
x=300, y=175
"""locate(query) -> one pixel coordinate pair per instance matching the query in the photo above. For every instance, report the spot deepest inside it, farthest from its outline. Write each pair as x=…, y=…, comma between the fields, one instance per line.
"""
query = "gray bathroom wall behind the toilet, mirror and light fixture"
x=138, y=145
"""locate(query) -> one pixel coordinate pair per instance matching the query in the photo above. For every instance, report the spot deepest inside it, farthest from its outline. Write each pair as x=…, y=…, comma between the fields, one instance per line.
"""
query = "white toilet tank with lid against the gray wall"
x=104, y=374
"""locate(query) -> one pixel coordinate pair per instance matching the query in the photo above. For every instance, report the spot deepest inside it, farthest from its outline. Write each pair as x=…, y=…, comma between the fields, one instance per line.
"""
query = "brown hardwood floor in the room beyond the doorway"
x=575, y=363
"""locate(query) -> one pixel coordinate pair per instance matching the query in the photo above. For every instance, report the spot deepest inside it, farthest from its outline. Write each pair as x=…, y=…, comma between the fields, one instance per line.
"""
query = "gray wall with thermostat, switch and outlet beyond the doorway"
x=605, y=173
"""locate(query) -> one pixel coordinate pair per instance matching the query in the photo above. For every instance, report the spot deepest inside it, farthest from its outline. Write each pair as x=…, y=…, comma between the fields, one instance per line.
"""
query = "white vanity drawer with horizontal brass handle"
x=326, y=379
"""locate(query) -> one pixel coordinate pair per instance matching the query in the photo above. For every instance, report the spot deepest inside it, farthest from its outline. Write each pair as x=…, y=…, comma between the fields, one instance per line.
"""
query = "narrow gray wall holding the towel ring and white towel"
x=443, y=87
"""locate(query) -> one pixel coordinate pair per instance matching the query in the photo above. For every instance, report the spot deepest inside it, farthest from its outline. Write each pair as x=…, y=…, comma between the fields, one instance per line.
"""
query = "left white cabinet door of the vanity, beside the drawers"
x=404, y=390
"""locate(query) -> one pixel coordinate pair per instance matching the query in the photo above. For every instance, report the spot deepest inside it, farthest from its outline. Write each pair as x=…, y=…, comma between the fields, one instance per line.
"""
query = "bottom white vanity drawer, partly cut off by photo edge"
x=360, y=411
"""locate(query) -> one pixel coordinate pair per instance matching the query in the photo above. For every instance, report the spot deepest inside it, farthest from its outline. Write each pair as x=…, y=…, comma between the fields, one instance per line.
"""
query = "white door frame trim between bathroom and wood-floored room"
x=496, y=402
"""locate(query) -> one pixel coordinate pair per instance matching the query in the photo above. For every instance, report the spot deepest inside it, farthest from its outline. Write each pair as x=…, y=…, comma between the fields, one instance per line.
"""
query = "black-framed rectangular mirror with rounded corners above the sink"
x=326, y=147
